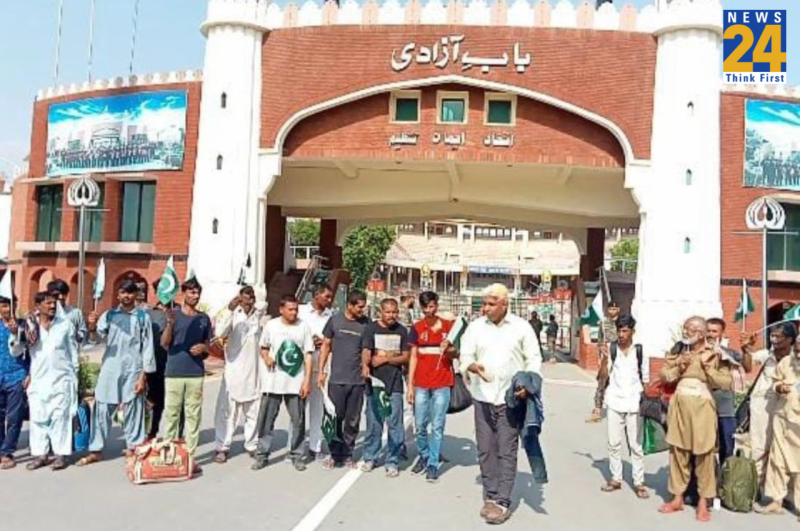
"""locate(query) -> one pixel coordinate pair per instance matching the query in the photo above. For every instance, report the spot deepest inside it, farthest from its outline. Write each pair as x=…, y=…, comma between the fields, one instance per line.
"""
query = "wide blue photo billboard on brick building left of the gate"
x=141, y=131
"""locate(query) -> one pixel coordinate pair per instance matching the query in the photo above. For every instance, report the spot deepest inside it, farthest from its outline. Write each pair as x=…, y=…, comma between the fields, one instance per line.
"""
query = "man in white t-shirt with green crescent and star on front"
x=287, y=349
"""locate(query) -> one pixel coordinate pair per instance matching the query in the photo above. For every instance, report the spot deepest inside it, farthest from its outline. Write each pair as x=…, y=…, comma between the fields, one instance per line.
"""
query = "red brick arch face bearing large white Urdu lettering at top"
x=610, y=73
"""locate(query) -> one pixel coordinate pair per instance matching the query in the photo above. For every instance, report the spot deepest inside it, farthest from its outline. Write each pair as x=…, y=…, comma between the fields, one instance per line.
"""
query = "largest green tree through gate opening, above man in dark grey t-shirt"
x=365, y=248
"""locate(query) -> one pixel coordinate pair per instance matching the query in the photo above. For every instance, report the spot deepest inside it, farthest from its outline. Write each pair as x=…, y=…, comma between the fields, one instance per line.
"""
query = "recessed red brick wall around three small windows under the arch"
x=543, y=134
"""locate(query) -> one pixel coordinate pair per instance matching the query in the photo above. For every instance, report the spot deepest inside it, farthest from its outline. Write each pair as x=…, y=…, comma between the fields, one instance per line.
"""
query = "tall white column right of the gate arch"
x=673, y=284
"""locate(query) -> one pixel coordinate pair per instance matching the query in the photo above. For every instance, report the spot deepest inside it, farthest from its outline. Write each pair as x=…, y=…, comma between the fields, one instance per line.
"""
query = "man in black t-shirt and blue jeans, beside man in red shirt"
x=386, y=350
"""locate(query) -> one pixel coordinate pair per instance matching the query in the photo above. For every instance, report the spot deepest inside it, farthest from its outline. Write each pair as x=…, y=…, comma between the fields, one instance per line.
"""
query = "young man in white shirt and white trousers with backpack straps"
x=624, y=372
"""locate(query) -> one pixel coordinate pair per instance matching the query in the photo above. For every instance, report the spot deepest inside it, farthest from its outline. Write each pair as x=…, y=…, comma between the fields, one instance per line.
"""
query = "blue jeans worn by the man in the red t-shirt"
x=430, y=406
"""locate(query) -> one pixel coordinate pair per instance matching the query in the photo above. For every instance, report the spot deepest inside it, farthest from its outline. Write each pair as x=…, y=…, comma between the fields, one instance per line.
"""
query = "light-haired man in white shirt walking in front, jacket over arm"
x=495, y=347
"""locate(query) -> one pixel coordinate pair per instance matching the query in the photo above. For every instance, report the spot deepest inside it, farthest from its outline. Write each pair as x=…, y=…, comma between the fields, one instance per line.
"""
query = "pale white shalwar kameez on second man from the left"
x=53, y=391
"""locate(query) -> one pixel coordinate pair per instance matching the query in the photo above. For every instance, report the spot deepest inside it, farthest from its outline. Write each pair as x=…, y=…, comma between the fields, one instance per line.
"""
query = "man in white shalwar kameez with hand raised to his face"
x=240, y=393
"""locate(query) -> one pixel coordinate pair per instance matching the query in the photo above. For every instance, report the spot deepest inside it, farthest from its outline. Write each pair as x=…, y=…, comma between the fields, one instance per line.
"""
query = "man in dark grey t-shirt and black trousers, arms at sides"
x=342, y=346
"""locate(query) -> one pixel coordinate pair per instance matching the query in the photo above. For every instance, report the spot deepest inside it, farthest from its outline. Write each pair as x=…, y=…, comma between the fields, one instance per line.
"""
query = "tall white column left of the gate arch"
x=232, y=194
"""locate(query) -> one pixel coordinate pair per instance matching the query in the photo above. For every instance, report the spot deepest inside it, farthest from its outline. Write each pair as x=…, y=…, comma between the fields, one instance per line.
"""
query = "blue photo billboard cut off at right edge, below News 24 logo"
x=772, y=144
